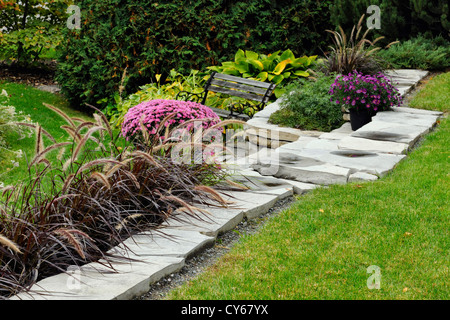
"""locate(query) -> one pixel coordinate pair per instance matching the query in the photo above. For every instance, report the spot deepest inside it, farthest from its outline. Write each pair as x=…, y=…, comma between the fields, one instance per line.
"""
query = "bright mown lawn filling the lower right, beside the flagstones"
x=321, y=247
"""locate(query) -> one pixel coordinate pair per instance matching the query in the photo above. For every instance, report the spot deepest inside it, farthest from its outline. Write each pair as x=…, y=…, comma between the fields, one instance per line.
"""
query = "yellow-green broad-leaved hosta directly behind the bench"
x=278, y=68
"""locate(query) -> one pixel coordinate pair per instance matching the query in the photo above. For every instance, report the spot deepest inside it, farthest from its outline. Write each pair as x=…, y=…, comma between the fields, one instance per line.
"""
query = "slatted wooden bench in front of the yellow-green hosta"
x=234, y=86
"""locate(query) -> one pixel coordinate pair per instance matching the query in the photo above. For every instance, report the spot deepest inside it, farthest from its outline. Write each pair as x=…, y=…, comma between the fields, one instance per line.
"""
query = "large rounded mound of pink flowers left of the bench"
x=151, y=114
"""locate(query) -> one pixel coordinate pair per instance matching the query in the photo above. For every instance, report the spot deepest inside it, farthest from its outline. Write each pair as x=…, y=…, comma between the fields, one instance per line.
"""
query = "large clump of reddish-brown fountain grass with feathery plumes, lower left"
x=73, y=211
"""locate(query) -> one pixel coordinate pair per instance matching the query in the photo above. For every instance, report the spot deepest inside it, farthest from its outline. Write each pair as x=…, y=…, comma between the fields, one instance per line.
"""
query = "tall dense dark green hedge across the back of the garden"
x=150, y=38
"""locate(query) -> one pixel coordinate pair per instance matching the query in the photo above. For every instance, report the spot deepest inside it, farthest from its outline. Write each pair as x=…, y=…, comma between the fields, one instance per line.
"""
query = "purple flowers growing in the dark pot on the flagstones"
x=371, y=92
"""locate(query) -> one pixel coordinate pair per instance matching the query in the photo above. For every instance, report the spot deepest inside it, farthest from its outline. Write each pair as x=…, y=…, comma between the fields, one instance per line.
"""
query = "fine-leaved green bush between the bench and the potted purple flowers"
x=307, y=106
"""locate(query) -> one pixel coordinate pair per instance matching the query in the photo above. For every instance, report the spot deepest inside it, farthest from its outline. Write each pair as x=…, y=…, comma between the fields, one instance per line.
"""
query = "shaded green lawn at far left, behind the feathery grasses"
x=29, y=100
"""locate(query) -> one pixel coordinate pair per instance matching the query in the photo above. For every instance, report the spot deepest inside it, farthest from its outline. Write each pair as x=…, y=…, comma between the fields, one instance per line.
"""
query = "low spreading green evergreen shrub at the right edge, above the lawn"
x=419, y=53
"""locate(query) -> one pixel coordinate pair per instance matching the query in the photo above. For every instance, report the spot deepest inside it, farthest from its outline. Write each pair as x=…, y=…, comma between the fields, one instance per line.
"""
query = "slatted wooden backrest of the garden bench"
x=239, y=87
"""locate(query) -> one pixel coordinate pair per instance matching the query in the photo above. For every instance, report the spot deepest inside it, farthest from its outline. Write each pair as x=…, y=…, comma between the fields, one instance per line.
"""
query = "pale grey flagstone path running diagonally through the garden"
x=289, y=161
